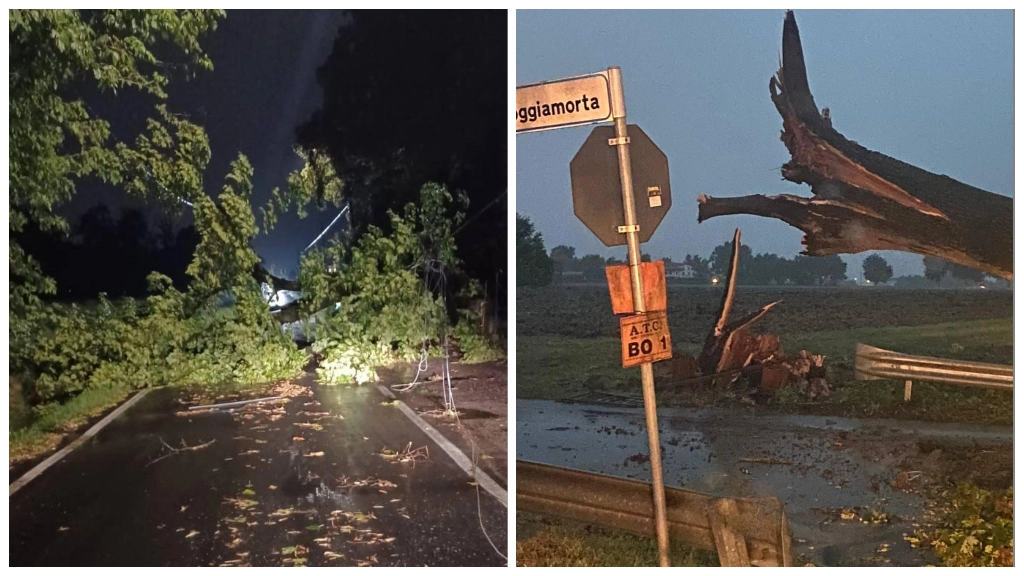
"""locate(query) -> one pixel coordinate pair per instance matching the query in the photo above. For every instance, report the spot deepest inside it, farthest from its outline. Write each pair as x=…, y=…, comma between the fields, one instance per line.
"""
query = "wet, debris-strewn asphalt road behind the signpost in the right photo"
x=818, y=466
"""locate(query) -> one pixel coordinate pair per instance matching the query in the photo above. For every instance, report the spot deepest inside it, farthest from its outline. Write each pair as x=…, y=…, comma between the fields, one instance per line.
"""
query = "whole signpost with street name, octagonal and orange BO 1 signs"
x=589, y=100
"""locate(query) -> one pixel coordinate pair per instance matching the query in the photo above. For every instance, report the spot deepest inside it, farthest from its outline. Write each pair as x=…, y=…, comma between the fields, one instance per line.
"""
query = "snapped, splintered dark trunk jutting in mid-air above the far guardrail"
x=865, y=200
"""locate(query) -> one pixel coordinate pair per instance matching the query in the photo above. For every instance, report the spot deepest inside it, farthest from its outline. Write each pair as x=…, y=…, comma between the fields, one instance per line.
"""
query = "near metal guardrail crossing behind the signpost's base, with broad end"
x=743, y=531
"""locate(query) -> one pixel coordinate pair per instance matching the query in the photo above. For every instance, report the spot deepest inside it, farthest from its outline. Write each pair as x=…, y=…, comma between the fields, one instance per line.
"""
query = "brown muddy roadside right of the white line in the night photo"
x=481, y=393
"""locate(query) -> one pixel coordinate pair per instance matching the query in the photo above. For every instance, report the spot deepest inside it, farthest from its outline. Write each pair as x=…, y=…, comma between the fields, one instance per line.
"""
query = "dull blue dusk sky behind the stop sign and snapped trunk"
x=931, y=89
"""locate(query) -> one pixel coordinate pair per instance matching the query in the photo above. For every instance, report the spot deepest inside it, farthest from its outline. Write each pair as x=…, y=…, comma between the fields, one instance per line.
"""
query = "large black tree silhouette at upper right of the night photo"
x=414, y=97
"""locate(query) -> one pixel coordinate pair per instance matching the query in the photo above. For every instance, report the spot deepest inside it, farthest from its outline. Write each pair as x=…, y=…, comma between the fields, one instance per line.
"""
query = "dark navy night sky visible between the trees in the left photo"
x=262, y=89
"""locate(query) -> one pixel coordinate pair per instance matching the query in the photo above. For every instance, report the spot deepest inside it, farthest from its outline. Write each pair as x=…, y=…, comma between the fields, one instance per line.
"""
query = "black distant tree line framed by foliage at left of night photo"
x=112, y=254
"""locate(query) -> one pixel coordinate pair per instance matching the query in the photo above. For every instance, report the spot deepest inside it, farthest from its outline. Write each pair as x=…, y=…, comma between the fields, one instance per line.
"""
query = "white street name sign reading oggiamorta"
x=559, y=104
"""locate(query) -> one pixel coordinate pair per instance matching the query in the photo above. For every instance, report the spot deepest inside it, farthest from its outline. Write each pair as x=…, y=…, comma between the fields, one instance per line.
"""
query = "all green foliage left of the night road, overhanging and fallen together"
x=172, y=337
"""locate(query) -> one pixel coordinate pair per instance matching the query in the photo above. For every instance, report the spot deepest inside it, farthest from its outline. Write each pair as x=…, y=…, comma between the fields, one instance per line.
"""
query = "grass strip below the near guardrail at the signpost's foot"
x=546, y=543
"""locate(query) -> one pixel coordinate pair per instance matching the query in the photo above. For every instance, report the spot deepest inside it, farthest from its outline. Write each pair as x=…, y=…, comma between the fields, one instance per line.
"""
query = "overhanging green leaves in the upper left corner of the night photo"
x=55, y=140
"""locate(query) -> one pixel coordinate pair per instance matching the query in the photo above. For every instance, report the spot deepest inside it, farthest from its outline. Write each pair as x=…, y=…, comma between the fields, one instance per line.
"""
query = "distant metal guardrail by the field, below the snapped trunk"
x=878, y=364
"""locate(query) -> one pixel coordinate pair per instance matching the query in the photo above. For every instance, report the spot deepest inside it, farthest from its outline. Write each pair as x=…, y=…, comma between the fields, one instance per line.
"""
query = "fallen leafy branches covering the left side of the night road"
x=173, y=338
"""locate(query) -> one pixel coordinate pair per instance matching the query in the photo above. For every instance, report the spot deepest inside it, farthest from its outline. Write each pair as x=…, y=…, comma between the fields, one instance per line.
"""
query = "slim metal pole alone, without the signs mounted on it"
x=622, y=142
